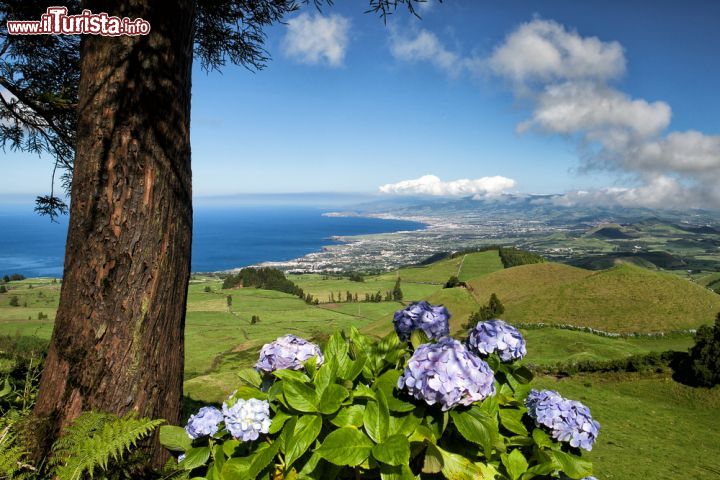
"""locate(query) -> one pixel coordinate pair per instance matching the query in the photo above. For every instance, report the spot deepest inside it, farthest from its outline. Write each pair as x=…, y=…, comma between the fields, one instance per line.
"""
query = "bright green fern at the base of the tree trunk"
x=96, y=438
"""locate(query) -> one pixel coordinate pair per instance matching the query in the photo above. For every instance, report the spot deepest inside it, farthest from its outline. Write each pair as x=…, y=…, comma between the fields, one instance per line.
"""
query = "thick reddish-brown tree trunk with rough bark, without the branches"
x=117, y=345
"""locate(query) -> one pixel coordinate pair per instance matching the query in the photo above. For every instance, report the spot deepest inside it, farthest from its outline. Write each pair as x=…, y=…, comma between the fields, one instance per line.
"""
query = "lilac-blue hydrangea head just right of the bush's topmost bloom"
x=497, y=336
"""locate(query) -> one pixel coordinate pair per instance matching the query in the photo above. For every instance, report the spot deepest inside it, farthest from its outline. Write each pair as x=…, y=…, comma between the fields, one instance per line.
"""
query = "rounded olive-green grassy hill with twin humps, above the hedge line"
x=624, y=298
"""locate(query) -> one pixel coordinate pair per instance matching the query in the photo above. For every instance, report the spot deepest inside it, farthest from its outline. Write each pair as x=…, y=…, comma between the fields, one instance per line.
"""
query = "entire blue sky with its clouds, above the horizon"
x=626, y=114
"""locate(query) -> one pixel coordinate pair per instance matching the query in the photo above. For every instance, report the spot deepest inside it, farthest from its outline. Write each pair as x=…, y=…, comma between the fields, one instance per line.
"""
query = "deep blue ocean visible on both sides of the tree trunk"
x=223, y=237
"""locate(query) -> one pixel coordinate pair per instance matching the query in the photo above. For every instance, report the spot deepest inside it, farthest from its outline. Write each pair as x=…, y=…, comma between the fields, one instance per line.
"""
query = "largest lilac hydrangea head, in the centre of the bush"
x=448, y=374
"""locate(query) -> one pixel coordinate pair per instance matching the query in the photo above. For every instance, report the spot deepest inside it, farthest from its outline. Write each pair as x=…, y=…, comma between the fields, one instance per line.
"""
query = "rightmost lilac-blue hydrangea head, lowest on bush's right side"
x=568, y=420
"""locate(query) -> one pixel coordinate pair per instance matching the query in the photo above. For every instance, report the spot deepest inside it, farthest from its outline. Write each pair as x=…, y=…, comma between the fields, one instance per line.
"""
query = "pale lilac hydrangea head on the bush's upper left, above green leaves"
x=287, y=352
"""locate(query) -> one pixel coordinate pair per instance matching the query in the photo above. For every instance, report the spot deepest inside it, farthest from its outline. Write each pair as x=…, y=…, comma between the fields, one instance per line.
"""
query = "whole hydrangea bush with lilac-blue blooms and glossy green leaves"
x=416, y=404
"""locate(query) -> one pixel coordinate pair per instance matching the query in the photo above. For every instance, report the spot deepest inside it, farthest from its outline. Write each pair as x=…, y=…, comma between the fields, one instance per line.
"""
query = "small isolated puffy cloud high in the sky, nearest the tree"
x=317, y=39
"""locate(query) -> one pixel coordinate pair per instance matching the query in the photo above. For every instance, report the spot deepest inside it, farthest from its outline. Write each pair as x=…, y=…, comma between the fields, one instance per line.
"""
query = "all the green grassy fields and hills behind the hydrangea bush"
x=635, y=411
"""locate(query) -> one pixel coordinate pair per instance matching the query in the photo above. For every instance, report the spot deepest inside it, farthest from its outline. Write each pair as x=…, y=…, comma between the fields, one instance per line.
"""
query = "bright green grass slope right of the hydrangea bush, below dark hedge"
x=651, y=426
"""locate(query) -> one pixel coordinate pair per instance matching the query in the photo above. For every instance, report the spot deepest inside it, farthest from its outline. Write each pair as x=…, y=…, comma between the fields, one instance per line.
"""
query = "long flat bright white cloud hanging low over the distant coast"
x=434, y=186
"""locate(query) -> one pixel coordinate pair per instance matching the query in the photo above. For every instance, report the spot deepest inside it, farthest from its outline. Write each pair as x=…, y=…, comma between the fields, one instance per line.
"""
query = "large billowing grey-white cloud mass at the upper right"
x=567, y=79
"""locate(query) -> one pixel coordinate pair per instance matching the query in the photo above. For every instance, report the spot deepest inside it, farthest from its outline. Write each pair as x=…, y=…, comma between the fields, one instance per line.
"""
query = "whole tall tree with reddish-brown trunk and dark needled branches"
x=122, y=135
